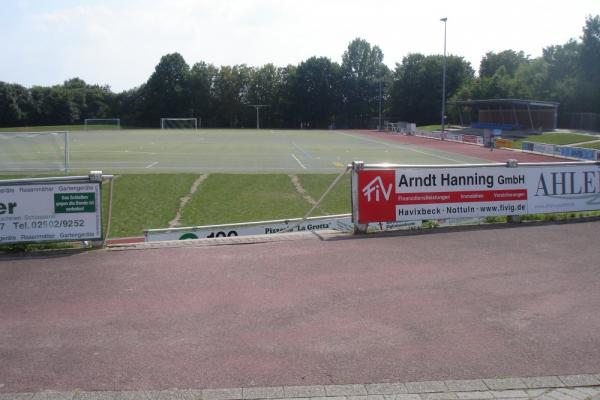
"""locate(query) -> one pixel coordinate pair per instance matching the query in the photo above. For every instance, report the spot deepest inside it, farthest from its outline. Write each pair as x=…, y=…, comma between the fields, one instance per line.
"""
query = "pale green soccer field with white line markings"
x=221, y=150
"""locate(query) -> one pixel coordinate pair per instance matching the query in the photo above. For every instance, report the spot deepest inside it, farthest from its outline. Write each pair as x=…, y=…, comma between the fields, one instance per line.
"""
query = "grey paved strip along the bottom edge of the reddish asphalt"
x=566, y=387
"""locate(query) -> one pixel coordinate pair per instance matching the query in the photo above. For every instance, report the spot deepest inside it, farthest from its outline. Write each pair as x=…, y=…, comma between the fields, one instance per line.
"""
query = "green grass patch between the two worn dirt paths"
x=230, y=198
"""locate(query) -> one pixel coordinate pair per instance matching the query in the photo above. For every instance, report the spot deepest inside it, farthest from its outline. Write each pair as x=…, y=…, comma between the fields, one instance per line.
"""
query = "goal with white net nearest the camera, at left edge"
x=34, y=151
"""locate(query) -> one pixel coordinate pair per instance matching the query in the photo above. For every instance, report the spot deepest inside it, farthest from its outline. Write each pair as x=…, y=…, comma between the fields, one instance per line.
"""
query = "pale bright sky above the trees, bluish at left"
x=118, y=43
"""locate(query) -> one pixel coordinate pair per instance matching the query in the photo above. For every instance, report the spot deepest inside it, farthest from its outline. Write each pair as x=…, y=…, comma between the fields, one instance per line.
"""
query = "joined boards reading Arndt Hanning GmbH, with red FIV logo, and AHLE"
x=416, y=193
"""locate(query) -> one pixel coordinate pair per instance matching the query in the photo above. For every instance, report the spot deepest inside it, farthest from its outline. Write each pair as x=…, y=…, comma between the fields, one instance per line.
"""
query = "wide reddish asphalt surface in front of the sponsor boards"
x=455, y=305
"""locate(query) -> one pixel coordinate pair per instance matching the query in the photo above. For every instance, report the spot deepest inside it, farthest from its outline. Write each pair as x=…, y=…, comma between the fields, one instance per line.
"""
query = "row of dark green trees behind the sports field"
x=320, y=93
